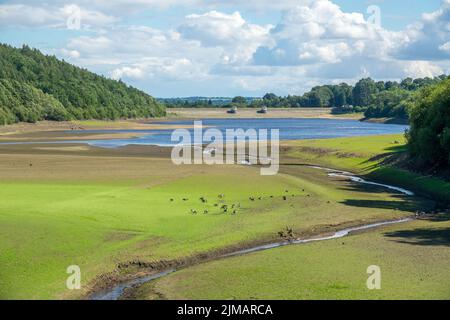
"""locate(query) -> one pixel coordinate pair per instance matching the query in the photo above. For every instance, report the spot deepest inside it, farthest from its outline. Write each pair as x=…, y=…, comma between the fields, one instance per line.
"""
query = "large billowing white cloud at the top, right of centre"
x=319, y=31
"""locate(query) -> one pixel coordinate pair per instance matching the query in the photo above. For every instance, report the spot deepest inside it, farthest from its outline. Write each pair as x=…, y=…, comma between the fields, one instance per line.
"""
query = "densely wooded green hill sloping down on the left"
x=34, y=86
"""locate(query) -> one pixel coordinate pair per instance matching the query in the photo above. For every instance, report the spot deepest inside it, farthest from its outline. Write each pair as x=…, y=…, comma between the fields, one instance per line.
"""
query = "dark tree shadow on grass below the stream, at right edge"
x=422, y=236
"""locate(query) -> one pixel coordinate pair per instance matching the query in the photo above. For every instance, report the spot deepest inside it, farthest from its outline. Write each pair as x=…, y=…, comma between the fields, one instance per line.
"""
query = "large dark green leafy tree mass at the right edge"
x=429, y=135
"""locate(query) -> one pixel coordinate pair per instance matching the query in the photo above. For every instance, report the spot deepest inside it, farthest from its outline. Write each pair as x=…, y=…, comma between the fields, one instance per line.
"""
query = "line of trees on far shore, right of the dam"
x=377, y=99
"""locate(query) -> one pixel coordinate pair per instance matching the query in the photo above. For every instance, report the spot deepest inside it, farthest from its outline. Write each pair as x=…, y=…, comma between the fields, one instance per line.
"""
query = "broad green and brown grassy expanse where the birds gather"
x=105, y=207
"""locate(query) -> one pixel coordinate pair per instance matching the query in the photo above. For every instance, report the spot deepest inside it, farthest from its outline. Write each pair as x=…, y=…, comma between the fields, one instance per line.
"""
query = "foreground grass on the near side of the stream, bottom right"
x=413, y=258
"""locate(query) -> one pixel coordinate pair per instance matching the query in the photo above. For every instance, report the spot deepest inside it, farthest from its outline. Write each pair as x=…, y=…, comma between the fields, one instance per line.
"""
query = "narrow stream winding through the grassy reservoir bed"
x=117, y=291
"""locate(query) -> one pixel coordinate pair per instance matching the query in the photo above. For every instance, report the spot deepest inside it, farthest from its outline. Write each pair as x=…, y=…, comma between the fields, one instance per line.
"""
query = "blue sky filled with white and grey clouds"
x=180, y=48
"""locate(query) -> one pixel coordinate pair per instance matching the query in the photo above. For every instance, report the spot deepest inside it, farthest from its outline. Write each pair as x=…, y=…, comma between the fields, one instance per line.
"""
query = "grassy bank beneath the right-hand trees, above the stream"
x=364, y=155
